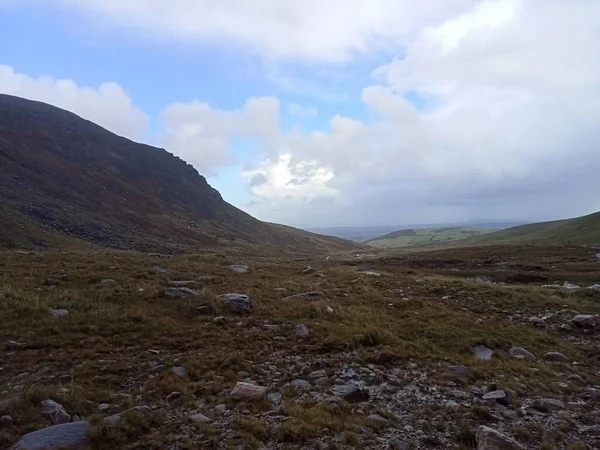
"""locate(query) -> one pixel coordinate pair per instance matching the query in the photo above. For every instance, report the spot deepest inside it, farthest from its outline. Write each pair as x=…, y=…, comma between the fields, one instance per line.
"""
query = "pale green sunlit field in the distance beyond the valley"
x=405, y=238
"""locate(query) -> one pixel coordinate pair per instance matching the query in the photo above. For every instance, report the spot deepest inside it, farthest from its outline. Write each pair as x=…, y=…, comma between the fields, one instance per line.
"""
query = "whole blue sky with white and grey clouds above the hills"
x=336, y=112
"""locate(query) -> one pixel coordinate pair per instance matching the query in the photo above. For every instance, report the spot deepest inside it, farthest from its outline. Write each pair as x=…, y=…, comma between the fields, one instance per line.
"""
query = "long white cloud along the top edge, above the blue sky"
x=312, y=30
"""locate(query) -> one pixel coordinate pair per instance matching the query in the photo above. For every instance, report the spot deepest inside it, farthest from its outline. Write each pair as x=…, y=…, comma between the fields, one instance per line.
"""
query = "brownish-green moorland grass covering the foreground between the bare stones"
x=115, y=333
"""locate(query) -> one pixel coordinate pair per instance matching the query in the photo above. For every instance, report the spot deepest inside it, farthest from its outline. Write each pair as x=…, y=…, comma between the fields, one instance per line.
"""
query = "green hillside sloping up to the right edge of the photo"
x=578, y=231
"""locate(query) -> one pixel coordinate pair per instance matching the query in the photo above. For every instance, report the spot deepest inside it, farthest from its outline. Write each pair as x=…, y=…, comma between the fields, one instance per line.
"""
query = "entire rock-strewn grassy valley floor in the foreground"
x=490, y=348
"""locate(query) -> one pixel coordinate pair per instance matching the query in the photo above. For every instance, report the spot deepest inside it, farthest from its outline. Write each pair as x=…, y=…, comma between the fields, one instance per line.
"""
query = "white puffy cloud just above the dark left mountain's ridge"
x=107, y=105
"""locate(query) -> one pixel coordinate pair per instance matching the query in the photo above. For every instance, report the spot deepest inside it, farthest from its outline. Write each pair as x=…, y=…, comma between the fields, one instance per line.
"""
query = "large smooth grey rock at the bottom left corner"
x=67, y=436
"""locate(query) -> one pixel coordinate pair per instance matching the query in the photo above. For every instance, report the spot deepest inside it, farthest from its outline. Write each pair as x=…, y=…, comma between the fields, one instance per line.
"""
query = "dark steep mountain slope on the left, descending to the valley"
x=63, y=178
